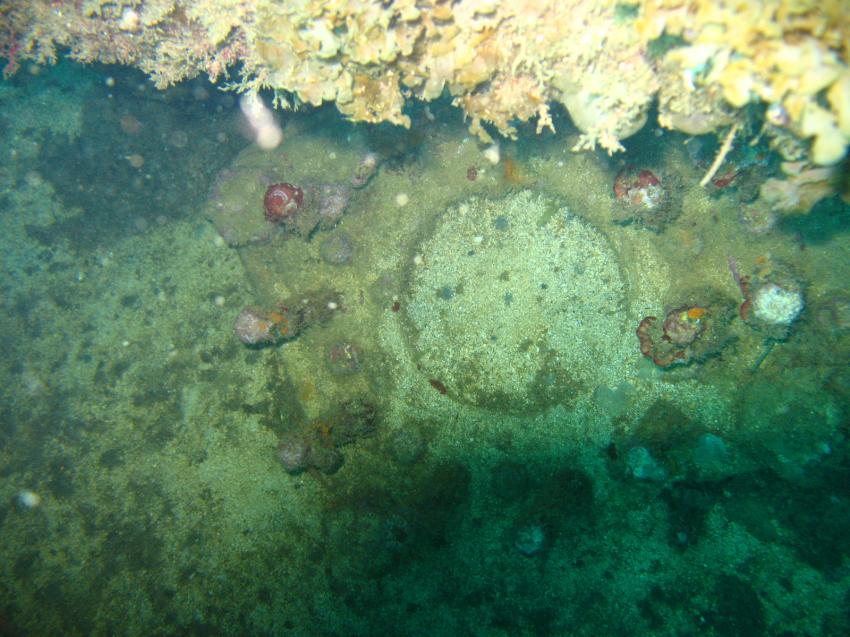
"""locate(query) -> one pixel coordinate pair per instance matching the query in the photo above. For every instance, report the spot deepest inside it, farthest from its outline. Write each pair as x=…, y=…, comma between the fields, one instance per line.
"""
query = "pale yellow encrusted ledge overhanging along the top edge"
x=707, y=65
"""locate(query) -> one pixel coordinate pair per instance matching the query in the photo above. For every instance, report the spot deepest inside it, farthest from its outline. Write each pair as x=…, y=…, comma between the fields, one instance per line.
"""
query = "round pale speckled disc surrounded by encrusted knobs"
x=515, y=303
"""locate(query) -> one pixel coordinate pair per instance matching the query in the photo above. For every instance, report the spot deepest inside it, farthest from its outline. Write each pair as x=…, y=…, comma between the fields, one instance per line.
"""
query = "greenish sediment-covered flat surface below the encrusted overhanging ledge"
x=463, y=423
